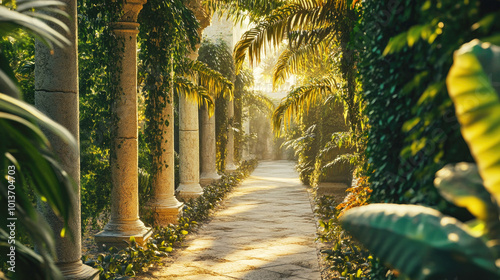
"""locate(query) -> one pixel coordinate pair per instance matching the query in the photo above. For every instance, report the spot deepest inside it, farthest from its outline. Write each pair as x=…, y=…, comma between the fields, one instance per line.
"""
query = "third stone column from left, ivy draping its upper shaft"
x=165, y=206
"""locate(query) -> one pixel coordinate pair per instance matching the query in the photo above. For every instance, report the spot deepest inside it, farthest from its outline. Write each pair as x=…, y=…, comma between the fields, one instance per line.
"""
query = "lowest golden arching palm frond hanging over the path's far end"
x=300, y=99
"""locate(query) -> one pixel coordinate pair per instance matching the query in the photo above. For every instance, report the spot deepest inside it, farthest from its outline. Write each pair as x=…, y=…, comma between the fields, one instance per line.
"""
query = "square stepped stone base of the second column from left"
x=113, y=235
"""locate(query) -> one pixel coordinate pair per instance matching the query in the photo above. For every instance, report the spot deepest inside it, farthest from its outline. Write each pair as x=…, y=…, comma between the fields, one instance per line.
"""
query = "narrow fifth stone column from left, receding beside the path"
x=208, y=149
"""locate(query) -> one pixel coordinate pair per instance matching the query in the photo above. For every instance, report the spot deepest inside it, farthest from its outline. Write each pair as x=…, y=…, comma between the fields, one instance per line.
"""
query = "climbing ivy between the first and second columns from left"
x=98, y=87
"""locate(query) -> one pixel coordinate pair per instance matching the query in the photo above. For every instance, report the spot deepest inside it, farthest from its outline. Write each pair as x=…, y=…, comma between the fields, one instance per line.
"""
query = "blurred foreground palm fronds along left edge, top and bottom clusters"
x=28, y=164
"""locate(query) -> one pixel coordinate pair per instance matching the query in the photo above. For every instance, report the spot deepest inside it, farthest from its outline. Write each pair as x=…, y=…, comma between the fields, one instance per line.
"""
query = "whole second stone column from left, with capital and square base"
x=125, y=221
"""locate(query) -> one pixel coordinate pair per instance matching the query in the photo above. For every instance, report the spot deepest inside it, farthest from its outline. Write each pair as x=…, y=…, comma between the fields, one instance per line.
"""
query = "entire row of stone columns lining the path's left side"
x=56, y=87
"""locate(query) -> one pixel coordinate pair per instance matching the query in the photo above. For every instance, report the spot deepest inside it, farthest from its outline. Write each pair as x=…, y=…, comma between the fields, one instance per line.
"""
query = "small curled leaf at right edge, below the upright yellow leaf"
x=462, y=185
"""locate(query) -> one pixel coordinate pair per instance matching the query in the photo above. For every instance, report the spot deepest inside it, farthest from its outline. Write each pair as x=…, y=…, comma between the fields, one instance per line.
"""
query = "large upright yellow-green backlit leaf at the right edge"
x=478, y=106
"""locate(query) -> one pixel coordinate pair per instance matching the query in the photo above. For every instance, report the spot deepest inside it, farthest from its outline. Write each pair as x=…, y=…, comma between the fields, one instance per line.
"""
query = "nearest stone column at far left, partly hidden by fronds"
x=56, y=94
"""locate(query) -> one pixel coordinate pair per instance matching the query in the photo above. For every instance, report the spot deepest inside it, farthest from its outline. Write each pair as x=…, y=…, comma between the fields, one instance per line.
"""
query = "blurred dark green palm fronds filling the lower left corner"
x=26, y=151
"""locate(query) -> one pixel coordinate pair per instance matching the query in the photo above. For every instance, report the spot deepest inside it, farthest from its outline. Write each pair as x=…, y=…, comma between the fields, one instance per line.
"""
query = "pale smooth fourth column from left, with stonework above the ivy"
x=189, y=146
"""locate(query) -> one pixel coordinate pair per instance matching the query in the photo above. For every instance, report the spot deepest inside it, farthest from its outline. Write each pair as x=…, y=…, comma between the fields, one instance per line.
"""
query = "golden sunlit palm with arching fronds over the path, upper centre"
x=310, y=27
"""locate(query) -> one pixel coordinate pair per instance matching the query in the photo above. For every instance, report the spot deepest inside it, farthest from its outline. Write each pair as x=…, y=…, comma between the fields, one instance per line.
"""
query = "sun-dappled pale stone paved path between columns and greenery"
x=265, y=231
